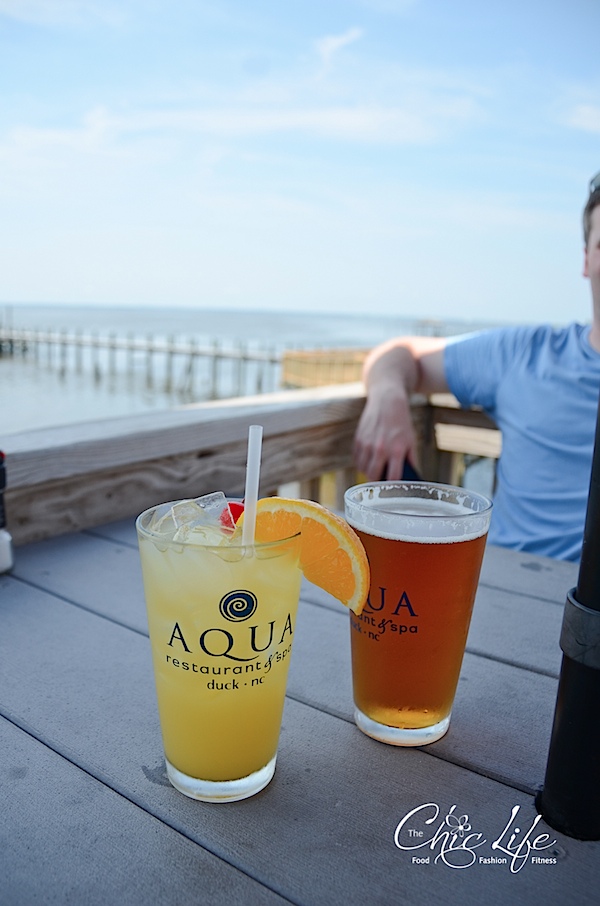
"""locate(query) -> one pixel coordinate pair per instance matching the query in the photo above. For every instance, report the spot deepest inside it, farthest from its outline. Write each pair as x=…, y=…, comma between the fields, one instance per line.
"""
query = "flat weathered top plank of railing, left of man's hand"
x=37, y=457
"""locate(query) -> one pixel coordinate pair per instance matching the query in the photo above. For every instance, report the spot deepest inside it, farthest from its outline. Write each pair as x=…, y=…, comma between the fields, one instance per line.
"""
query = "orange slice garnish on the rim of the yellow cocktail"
x=331, y=554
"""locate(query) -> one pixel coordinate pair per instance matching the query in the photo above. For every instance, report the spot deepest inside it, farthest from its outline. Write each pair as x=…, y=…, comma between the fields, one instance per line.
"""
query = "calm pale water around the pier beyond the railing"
x=35, y=394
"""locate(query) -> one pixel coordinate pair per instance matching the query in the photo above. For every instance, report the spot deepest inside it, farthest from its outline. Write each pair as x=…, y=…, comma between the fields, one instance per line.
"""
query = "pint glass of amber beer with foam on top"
x=425, y=545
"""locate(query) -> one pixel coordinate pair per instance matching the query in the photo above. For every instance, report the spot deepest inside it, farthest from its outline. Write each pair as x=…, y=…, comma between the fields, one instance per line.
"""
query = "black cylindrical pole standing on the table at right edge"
x=570, y=798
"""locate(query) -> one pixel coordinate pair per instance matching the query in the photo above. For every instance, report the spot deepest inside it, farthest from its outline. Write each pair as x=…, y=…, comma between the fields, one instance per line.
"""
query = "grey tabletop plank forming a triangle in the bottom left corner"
x=68, y=838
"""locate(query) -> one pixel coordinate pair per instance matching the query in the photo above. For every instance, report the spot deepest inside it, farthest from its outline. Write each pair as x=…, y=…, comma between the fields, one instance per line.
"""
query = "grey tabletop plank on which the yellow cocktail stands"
x=323, y=831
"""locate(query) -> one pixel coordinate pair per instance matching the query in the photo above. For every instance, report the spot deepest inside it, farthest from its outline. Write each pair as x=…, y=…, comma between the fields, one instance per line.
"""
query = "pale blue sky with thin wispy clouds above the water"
x=421, y=158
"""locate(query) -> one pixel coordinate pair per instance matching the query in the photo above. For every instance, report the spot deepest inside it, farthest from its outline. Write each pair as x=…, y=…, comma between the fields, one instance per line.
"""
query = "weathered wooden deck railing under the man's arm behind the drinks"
x=74, y=477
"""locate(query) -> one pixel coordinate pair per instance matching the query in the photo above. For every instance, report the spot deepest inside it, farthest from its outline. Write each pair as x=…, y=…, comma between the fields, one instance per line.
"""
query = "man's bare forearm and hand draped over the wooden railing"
x=393, y=371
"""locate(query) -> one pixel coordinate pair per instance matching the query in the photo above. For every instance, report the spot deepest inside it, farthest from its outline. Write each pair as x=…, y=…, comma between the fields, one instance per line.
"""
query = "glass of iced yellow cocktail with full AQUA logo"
x=221, y=617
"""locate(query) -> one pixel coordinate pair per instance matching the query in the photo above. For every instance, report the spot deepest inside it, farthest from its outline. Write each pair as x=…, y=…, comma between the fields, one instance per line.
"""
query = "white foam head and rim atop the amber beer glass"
x=417, y=511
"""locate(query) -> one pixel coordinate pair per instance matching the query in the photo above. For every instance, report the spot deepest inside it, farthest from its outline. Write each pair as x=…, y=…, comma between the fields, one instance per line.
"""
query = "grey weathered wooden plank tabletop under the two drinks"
x=88, y=816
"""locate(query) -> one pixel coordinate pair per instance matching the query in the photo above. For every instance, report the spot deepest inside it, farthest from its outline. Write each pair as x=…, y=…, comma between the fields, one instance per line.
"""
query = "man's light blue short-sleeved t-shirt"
x=540, y=385
